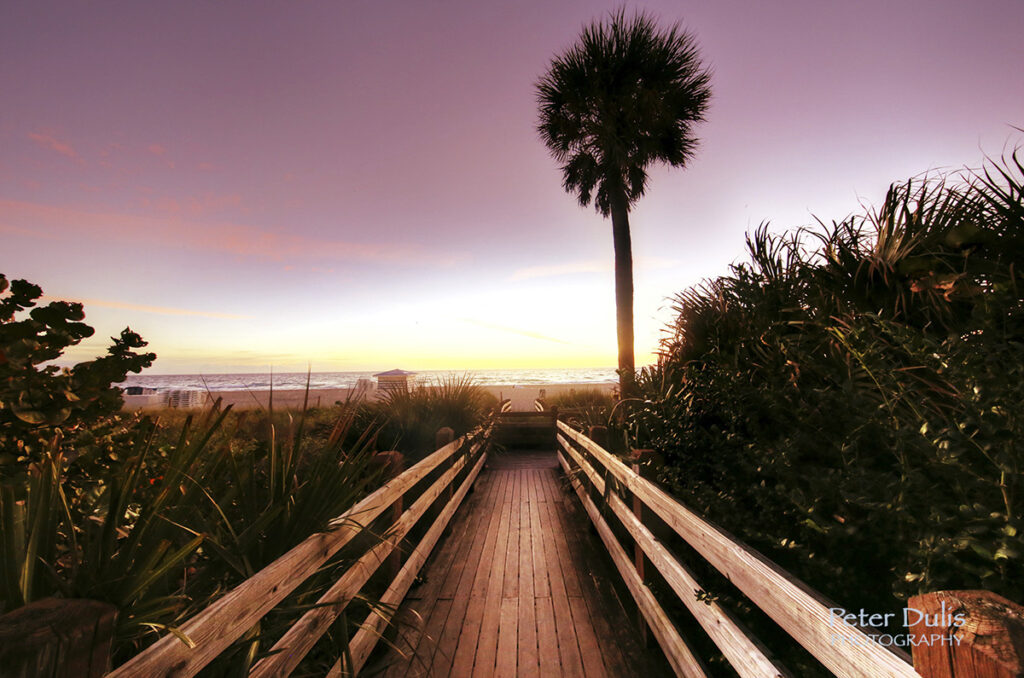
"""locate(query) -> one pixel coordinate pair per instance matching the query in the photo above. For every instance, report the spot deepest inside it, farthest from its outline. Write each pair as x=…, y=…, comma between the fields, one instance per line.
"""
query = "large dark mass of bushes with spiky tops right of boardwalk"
x=848, y=400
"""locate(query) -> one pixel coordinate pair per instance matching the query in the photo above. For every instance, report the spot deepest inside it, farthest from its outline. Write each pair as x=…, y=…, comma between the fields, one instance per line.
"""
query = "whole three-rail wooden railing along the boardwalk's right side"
x=845, y=650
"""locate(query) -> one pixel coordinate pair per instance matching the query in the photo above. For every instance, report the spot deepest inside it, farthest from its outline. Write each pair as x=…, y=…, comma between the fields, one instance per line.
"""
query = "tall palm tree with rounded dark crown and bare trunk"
x=624, y=97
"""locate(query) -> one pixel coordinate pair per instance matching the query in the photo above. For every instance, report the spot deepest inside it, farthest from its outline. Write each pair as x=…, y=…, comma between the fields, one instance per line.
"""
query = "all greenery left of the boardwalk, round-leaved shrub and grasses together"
x=160, y=516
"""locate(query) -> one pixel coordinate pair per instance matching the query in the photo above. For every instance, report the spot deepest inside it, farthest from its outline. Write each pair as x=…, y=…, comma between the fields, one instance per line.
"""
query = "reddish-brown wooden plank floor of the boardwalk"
x=517, y=588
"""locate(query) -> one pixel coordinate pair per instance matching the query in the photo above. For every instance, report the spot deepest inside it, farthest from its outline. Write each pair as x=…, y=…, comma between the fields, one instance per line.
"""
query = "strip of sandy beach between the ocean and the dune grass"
x=523, y=397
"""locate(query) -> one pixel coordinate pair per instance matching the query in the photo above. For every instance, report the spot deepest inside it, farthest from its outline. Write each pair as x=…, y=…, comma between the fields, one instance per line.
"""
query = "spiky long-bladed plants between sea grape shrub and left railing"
x=177, y=521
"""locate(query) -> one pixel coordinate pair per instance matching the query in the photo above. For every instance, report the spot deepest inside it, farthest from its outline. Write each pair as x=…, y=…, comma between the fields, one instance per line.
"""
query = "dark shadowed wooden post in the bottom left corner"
x=58, y=639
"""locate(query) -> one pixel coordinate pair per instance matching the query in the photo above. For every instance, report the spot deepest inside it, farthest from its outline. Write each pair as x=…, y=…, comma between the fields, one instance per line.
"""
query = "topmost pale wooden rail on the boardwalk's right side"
x=805, y=615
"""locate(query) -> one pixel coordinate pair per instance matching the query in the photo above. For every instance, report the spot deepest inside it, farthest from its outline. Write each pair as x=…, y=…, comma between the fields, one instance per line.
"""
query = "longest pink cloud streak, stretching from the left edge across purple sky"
x=206, y=236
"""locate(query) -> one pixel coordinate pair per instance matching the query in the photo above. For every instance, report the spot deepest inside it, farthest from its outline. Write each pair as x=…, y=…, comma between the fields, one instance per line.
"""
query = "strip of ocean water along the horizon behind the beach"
x=297, y=380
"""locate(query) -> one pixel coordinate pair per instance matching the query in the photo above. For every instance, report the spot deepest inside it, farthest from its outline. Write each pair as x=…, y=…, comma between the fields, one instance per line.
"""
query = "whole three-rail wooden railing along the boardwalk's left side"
x=214, y=630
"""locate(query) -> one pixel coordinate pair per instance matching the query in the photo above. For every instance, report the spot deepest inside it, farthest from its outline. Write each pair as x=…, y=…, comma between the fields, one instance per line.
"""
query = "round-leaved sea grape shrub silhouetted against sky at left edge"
x=37, y=401
